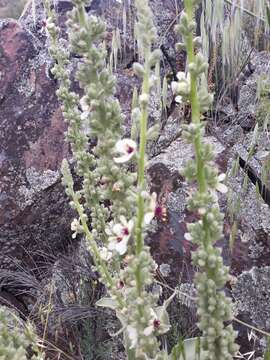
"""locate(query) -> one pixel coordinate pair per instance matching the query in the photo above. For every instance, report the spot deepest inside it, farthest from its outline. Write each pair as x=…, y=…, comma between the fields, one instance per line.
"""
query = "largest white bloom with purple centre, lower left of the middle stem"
x=119, y=235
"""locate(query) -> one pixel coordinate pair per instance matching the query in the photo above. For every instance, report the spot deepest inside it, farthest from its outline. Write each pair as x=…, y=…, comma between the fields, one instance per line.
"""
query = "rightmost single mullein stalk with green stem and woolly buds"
x=214, y=308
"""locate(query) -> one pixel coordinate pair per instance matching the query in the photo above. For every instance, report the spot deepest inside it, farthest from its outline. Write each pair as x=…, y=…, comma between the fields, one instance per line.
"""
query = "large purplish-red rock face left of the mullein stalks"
x=32, y=148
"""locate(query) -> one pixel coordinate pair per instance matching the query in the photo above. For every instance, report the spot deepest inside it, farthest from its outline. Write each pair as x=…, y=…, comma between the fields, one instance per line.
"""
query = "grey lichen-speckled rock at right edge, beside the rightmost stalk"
x=250, y=211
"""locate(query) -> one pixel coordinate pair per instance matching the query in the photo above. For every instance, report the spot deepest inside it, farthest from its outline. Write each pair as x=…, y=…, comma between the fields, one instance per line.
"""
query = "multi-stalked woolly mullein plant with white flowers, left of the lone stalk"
x=113, y=204
